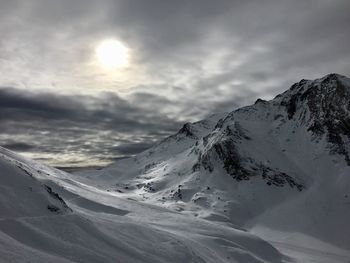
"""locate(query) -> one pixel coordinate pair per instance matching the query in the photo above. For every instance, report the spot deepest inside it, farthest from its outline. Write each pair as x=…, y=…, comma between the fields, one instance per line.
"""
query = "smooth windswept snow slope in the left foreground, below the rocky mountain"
x=93, y=225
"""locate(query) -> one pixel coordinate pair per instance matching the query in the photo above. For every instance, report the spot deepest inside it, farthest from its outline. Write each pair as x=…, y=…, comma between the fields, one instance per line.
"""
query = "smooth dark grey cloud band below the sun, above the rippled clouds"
x=108, y=111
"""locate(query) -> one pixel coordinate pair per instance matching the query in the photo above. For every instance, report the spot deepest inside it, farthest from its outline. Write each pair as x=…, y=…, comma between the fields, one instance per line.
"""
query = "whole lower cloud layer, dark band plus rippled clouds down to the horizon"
x=53, y=124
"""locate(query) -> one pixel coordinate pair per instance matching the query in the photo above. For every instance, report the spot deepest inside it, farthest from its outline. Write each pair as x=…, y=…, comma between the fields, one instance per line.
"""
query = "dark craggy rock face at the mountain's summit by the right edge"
x=325, y=105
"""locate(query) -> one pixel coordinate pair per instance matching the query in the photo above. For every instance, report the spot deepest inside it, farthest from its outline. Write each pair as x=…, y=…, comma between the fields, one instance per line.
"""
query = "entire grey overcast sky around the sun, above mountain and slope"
x=187, y=59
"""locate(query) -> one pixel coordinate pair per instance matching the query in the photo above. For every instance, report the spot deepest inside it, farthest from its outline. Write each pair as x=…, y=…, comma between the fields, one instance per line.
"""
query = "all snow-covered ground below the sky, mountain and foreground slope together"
x=265, y=183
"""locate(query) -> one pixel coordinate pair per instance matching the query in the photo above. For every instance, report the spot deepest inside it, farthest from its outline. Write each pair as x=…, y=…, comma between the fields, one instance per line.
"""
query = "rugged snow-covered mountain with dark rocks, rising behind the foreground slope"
x=279, y=165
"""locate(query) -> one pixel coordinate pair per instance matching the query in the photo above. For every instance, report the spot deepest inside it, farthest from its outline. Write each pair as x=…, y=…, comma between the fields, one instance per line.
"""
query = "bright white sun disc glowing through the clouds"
x=112, y=54
